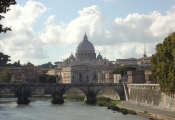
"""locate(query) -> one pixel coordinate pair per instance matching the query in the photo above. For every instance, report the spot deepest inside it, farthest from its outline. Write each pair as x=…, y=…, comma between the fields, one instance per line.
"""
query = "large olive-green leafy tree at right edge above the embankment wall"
x=163, y=65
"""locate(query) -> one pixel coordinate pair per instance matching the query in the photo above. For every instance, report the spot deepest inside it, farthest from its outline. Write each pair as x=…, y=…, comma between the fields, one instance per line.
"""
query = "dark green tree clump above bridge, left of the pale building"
x=45, y=78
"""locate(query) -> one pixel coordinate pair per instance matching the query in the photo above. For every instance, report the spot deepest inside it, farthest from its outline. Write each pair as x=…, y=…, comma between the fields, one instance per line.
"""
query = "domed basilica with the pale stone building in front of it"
x=84, y=66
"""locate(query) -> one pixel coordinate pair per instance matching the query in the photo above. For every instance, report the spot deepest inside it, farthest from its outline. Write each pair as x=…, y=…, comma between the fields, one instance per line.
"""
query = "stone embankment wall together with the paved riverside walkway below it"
x=149, y=101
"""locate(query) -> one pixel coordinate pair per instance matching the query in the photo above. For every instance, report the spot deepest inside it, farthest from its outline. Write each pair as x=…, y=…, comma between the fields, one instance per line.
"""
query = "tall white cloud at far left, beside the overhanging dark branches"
x=22, y=42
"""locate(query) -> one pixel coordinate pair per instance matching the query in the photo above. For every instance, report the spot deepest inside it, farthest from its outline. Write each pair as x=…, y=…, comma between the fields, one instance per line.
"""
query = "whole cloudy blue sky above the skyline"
x=49, y=31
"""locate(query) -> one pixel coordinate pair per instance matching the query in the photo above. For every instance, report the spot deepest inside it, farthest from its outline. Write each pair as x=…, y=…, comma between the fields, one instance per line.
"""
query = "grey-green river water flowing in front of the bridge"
x=42, y=109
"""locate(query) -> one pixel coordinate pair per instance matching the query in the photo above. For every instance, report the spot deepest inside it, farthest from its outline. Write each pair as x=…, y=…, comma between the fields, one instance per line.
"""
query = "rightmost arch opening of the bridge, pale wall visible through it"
x=108, y=93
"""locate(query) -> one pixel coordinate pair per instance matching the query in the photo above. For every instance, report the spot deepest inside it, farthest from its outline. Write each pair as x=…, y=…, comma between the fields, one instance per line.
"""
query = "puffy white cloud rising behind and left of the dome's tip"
x=90, y=20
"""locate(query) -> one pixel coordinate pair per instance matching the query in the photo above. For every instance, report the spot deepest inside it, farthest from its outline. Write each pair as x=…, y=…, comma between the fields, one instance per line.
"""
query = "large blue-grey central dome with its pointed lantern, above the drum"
x=85, y=46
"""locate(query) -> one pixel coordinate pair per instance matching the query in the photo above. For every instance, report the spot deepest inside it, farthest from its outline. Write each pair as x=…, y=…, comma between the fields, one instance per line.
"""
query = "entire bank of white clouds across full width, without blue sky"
x=124, y=39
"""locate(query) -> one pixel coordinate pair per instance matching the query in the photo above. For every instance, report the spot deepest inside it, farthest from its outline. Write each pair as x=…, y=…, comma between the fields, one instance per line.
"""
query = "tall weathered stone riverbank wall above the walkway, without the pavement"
x=149, y=94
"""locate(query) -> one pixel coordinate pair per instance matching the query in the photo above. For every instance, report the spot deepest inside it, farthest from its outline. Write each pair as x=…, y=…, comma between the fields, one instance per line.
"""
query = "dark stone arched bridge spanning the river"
x=24, y=90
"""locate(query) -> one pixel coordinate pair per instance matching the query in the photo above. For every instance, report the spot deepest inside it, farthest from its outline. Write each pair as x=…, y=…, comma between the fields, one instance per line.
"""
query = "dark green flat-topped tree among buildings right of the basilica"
x=123, y=70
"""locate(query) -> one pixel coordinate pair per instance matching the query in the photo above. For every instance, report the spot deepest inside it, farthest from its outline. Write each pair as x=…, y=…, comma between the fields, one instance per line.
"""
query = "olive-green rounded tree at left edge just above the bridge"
x=5, y=76
